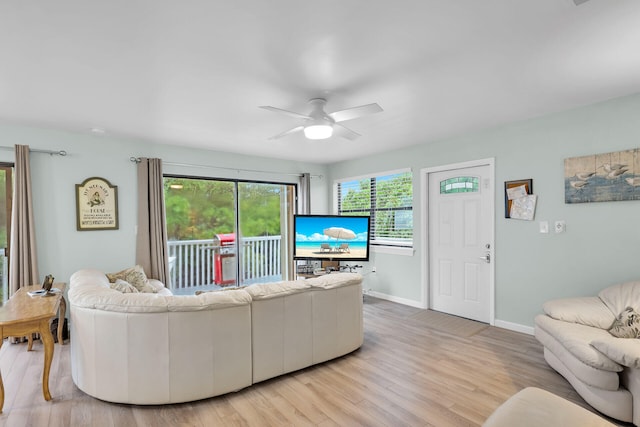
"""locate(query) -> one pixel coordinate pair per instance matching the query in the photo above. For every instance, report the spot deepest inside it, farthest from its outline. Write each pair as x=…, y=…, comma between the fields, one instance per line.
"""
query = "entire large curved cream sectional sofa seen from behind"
x=158, y=348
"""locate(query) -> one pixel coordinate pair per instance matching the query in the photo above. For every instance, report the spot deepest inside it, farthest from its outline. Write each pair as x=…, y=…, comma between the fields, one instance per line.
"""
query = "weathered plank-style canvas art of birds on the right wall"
x=602, y=177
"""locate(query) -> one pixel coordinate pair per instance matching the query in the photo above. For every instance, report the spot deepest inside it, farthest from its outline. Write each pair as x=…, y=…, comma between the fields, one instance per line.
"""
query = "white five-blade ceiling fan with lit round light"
x=320, y=125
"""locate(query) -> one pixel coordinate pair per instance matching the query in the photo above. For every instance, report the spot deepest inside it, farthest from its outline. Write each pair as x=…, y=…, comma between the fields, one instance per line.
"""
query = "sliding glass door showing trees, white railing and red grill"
x=225, y=233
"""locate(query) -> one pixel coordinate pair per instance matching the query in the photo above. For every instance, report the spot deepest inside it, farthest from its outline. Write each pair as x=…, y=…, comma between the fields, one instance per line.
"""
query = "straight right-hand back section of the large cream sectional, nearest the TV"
x=305, y=322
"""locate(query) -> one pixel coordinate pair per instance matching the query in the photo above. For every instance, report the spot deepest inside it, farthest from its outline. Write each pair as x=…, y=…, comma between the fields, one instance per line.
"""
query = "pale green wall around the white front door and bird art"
x=600, y=246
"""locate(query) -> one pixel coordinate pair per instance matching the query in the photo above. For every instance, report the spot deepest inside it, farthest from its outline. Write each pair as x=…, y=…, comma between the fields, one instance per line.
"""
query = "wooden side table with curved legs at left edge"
x=24, y=315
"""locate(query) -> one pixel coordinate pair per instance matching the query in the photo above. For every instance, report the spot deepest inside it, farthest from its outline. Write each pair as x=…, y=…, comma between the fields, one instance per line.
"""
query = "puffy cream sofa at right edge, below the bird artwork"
x=603, y=369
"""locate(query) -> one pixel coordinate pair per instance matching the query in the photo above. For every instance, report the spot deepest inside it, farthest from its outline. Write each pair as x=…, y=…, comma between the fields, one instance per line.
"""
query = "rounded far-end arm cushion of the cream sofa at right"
x=590, y=311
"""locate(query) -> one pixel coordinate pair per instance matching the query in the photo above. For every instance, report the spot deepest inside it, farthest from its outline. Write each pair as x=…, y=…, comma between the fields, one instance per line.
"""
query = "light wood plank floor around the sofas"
x=405, y=374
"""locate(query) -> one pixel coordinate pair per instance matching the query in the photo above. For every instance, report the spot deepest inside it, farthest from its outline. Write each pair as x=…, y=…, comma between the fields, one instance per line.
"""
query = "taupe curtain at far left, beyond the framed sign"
x=23, y=264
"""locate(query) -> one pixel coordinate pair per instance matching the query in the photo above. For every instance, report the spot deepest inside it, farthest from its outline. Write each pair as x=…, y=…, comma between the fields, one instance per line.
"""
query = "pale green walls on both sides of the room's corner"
x=599, y=248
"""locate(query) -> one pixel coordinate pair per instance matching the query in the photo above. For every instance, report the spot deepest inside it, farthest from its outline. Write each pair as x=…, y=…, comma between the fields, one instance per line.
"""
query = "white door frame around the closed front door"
x=424, y=225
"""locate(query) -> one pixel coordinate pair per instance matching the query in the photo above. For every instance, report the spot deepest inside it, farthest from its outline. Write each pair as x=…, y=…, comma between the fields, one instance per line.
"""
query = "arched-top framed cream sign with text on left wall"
x=96, y=205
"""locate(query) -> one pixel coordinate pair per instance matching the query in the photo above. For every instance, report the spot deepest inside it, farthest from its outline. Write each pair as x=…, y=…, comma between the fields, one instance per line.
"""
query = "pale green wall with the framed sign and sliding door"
x=61, y=248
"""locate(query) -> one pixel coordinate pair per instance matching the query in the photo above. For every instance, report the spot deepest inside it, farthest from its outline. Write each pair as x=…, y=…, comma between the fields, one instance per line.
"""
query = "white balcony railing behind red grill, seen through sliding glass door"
x=192, y=263
